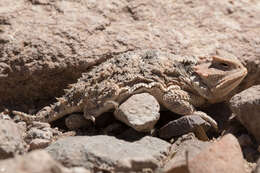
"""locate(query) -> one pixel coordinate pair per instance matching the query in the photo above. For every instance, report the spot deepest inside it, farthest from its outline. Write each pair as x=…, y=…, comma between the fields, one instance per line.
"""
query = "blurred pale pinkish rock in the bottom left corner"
x=34, y=162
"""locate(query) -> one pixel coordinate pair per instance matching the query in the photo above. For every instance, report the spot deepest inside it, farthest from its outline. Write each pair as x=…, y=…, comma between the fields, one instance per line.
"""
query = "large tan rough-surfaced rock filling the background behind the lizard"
x=65, y=38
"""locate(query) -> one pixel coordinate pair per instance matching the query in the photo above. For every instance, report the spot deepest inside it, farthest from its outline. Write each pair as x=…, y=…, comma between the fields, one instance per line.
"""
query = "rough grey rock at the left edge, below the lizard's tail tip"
x=11, y=139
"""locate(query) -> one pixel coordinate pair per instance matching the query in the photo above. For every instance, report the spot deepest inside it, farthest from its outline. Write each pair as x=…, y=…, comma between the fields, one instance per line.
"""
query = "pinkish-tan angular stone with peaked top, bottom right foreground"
x=223, y=156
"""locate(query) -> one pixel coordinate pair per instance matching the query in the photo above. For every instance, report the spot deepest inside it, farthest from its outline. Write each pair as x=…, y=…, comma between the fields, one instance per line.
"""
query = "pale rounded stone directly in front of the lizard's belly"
x=141, y=112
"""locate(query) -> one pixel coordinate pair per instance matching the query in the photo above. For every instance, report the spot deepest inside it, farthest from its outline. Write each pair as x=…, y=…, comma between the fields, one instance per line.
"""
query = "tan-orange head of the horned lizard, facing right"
x=217, y=76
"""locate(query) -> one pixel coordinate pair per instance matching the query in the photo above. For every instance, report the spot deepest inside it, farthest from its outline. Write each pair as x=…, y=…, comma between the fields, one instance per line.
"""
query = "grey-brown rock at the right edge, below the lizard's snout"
x=246, y=106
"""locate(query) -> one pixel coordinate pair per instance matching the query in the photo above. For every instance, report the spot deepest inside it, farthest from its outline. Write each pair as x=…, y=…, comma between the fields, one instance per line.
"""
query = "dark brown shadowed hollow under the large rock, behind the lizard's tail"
x=23, y=92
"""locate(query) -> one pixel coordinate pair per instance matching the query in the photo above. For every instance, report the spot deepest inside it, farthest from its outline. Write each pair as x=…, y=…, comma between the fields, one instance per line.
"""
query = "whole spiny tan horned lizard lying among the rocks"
x=179, y=83
